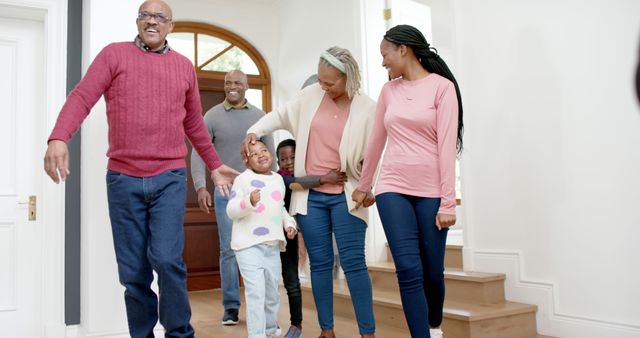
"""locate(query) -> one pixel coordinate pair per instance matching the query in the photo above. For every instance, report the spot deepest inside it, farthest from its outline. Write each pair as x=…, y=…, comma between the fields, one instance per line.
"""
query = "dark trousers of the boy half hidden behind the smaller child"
x=291, y=280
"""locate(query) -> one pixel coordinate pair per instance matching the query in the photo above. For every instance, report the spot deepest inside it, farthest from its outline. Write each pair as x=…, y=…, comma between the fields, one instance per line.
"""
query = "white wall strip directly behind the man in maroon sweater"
x=102, y=302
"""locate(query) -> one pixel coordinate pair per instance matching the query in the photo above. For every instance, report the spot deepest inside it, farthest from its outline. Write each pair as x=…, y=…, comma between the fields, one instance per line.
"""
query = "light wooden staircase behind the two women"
x=475, y=305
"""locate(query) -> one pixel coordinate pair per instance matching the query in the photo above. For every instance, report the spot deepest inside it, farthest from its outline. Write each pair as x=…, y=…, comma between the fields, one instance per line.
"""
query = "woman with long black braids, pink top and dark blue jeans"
x=419, y=116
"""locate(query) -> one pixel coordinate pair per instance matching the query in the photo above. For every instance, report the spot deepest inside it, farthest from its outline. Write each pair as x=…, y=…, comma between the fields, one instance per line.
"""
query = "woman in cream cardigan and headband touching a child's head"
x=331, y=122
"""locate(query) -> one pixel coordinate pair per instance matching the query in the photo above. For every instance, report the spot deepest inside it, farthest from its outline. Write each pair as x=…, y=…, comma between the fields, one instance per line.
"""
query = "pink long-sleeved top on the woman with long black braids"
x=418, y=120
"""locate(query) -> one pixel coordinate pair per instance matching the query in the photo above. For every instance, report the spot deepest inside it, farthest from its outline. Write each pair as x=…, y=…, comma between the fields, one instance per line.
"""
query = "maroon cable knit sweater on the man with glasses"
x=152, y=102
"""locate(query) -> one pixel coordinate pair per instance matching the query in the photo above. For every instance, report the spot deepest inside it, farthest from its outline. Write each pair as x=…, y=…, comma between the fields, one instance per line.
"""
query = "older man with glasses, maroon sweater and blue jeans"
x=152, y=101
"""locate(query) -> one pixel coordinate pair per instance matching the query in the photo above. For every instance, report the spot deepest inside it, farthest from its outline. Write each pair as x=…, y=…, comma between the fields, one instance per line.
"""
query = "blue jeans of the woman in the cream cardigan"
x=326, y=214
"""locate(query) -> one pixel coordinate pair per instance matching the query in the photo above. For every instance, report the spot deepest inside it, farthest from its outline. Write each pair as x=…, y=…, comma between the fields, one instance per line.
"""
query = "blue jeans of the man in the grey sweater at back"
x=229, y=278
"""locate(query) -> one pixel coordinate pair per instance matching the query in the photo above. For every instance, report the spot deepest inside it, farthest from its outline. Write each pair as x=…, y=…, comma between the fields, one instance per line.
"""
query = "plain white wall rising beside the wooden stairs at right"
x=551, y=168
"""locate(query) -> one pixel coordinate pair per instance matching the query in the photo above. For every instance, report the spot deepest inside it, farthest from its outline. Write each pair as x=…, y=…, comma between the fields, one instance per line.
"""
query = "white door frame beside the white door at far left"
x=53, y=13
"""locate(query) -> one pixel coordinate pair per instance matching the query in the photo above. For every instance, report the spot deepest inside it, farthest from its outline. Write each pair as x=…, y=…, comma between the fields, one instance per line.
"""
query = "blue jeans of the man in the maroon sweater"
x=147, y=216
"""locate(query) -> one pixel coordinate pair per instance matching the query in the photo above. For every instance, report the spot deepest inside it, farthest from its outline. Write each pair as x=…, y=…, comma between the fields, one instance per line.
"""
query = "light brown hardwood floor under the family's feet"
x=206, y=308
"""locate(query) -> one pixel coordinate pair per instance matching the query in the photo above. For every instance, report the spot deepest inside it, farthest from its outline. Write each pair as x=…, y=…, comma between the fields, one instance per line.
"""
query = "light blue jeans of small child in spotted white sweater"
x=260, y=269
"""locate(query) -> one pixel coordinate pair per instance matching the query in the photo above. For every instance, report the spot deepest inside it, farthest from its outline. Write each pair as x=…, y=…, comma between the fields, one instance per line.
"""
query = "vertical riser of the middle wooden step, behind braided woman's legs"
x=482, y=293
